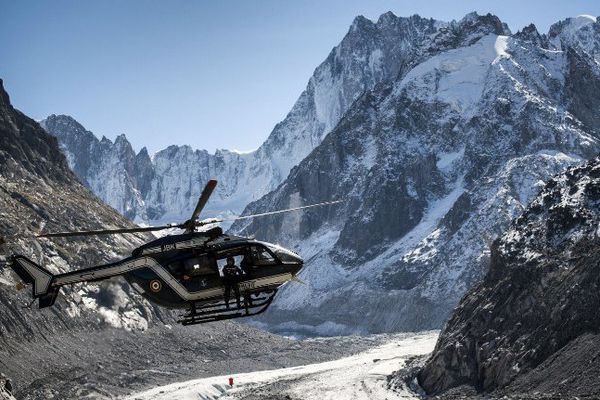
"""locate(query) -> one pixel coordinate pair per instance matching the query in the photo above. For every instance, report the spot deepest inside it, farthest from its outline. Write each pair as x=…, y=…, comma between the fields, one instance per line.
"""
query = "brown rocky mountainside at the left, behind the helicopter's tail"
x=39, y=191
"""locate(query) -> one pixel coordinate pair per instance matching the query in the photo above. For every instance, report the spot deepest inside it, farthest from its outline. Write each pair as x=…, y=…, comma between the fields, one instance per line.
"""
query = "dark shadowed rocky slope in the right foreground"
x=537, y=303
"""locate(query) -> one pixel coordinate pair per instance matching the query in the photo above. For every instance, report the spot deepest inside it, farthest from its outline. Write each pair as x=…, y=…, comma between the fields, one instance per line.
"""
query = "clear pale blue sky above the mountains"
x=216, y=74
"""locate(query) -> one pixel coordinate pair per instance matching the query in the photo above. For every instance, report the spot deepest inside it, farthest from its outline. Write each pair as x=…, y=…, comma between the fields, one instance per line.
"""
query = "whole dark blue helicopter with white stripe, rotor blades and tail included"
x=183, y=271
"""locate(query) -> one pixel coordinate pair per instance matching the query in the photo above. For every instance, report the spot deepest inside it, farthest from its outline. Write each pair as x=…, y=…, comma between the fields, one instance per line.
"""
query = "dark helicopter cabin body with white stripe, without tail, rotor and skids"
x=183, y=269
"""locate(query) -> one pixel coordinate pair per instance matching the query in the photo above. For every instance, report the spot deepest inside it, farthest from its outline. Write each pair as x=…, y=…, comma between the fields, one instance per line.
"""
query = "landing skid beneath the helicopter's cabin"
x=220, y=312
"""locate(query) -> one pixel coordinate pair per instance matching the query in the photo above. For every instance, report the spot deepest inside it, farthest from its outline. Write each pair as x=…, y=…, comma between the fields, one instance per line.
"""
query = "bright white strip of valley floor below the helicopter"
x=362, y=376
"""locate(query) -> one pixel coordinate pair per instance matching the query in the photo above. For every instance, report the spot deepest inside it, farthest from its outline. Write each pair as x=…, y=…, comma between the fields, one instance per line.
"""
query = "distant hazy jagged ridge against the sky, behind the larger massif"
x=165, y=187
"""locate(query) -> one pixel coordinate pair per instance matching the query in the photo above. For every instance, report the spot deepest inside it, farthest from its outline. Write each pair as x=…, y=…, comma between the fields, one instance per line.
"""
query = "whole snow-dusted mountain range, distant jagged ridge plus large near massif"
x=436, y=134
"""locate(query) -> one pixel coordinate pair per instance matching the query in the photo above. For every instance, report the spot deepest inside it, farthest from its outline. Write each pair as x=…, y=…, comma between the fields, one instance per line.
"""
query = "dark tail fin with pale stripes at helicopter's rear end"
x=40, y=278
